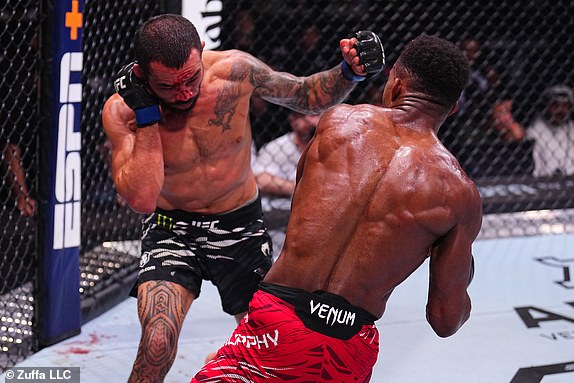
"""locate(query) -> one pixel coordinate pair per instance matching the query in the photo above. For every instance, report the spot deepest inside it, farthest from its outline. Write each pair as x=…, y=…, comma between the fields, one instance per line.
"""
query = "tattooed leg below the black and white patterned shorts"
x=162, y=307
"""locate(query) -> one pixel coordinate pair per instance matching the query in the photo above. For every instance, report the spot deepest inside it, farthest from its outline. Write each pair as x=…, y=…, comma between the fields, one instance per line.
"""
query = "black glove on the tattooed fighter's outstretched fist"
x=371, y=54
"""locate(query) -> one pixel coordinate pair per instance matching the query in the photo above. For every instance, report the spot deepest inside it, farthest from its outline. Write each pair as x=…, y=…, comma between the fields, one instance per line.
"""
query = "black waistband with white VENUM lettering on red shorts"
x=321, y=311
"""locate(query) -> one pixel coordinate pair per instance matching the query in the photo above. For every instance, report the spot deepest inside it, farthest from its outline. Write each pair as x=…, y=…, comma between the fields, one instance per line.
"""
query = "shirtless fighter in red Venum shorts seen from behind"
x=377, y=195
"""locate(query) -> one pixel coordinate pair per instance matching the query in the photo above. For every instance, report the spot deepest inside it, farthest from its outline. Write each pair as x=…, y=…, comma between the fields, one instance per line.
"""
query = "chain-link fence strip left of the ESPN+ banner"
x=20, y=122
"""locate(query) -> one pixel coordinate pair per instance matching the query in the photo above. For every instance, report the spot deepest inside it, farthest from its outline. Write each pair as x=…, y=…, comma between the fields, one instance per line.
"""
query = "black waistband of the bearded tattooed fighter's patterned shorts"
x=241, y=216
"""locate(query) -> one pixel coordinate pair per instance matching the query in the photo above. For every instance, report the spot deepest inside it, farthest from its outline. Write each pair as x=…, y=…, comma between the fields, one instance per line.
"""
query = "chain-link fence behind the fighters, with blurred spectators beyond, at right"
x=513, y=133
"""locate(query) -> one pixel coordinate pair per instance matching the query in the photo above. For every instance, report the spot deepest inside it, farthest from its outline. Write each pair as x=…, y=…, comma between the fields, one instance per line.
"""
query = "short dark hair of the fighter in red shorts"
x=435, y=67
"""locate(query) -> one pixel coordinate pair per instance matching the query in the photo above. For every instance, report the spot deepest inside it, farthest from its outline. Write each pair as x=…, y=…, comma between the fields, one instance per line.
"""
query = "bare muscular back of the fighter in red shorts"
x=378, y=194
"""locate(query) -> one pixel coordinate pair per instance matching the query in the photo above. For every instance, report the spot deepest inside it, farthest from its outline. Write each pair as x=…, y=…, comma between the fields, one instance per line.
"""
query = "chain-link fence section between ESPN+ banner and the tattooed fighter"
x=110, y=230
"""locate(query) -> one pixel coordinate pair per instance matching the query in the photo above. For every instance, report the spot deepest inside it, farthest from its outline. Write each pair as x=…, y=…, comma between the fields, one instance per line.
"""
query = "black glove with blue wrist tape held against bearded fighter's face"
x=136, y=96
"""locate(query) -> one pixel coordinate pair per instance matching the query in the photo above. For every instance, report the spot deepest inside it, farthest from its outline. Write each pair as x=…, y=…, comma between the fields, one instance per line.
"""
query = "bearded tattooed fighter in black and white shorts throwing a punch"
x=181, y=148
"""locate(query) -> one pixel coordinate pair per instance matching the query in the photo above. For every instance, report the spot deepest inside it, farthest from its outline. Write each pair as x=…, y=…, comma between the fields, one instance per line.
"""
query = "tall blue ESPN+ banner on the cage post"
x=59, y=302
